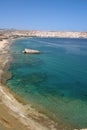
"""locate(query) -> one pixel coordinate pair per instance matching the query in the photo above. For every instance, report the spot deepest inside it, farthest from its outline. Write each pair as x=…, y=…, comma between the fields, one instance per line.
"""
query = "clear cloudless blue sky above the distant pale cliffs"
x=51, y=15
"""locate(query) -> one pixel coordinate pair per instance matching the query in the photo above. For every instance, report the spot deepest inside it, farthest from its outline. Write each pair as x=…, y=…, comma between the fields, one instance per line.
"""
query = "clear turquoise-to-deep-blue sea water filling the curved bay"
x=55, y=81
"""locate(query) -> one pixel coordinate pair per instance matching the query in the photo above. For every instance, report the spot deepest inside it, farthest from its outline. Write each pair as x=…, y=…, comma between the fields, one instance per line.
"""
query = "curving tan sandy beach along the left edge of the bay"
x=14, y=112
